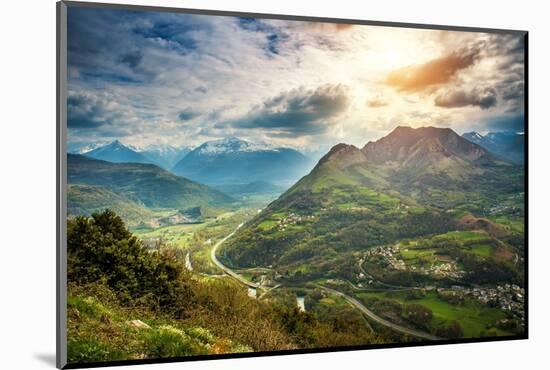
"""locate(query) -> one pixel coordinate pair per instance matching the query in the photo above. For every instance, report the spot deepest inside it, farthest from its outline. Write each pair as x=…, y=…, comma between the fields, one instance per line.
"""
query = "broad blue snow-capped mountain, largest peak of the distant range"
x=236, y=161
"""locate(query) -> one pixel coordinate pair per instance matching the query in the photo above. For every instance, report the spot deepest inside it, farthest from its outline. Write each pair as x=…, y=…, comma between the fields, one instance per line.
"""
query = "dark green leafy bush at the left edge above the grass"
x=100, y=248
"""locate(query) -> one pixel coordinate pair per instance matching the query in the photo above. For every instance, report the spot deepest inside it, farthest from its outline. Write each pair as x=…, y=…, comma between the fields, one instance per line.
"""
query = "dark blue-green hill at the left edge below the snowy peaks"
x=144, y=184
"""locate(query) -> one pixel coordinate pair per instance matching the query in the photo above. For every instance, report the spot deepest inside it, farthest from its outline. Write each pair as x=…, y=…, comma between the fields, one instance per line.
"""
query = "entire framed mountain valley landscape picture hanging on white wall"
x=238, y=185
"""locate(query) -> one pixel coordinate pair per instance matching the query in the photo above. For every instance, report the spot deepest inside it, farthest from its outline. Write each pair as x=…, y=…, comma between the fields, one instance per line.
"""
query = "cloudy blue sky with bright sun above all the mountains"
x=151, y=78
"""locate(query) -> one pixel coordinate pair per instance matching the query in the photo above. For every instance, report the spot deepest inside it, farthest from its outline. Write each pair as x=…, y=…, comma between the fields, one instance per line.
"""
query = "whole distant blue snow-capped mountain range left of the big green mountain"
x=230, y=161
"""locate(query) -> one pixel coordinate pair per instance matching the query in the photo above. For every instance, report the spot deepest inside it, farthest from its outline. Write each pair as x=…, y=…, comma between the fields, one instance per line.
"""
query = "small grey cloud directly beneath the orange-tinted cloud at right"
x=484, y=98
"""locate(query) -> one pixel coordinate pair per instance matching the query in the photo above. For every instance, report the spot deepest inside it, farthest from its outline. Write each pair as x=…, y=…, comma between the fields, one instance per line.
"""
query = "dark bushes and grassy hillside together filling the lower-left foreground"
x=126, y=301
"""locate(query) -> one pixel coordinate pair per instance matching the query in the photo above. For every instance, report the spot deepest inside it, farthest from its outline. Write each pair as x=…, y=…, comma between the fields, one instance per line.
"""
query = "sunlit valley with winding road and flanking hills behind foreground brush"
x=419, y=247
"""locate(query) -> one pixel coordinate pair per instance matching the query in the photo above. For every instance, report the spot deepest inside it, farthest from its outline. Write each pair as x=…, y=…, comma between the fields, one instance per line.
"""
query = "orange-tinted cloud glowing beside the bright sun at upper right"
x=434, y=72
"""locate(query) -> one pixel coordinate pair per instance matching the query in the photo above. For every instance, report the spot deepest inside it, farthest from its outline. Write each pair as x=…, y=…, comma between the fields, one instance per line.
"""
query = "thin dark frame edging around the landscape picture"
x=61, y=110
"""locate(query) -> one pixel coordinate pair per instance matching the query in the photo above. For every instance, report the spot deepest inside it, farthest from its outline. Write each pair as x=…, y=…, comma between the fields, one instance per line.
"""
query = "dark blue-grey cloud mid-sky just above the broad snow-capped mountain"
x=296, y=112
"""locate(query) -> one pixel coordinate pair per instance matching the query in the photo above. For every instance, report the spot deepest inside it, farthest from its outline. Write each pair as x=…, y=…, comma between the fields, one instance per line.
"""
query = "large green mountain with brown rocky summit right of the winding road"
x=410, y=184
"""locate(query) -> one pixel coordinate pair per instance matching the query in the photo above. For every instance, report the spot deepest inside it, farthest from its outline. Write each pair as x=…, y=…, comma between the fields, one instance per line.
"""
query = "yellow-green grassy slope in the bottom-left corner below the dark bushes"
x=101, y=331
